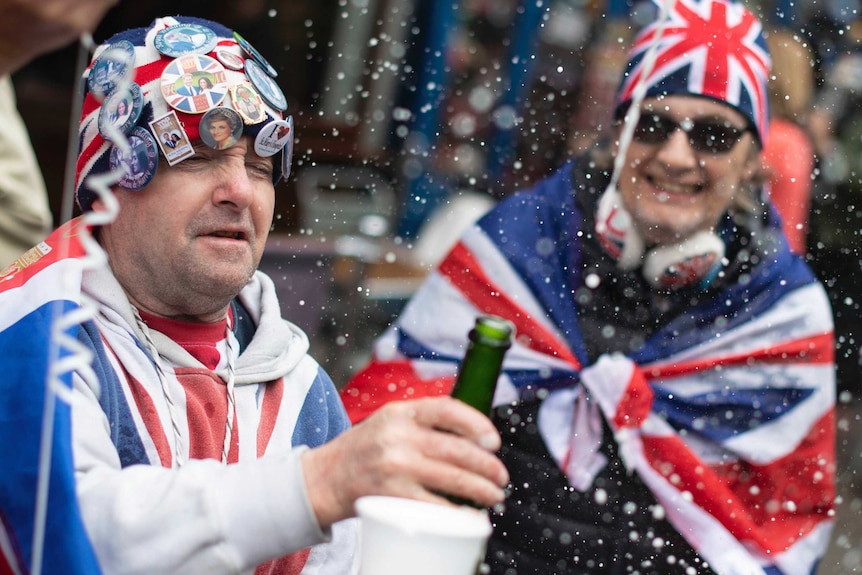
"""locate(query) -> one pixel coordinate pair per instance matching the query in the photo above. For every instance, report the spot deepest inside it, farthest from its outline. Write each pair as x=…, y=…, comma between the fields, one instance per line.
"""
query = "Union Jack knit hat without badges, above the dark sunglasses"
x=709, y=48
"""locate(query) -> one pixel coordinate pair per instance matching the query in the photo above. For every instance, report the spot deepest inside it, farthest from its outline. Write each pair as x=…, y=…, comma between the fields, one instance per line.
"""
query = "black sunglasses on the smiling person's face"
x=704, y=136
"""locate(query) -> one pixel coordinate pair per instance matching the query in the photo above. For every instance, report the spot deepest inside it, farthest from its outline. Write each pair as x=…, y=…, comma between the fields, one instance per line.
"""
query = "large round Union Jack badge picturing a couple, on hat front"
x=194, y=83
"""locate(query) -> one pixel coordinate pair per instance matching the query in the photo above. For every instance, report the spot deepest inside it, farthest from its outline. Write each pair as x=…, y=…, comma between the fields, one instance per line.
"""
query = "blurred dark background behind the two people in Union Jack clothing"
x=414, y=116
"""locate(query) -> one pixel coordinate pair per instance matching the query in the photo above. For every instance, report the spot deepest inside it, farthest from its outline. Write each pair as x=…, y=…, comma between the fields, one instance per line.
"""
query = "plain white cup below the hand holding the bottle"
x=401, y=536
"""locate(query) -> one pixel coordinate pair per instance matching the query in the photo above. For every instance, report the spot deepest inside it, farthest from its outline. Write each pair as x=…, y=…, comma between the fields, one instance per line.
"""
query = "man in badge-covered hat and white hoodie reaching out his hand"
x=205, y=438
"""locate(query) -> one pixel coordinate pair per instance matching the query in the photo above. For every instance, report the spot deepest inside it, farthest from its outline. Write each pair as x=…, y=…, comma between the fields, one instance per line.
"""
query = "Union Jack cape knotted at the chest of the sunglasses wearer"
x=726, y=412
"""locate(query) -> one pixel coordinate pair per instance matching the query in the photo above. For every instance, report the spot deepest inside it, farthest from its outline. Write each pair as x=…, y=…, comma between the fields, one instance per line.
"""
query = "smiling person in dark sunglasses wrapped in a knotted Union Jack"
x=667, y=406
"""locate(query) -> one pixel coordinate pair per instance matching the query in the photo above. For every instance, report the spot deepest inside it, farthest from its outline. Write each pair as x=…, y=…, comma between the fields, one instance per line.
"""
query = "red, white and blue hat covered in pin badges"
x=180, y=69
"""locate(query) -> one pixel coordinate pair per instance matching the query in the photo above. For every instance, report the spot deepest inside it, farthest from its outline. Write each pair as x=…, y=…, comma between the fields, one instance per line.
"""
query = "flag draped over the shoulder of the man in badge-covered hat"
x=28, y=349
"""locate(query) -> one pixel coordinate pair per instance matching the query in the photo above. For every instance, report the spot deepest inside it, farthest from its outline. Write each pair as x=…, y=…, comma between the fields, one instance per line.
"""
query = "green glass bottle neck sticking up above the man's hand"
x=477, y=377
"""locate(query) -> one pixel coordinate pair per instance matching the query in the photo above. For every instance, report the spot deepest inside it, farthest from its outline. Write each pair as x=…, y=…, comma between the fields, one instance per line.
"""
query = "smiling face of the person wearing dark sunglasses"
x=690, y=160
